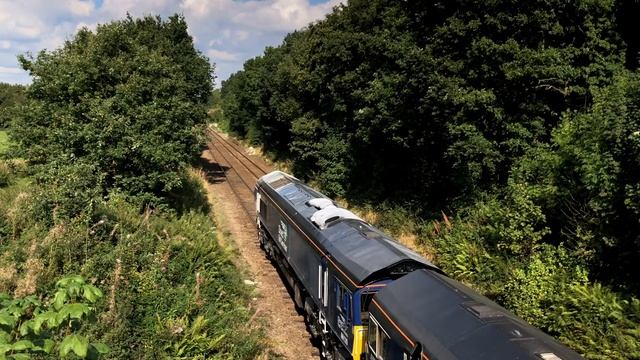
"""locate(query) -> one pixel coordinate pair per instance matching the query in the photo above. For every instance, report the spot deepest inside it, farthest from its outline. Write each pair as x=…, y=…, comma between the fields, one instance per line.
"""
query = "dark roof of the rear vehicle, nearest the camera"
x=452, y=321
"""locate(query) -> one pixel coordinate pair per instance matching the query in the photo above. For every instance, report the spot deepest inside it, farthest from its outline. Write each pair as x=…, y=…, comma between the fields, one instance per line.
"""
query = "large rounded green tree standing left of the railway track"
x=123, y=101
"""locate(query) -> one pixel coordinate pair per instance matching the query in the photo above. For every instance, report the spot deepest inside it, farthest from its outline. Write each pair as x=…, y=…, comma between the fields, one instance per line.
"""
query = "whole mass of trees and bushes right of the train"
x=519, y=117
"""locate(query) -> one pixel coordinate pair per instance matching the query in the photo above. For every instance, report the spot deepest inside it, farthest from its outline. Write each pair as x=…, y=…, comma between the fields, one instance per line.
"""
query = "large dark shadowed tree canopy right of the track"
x=437, y=95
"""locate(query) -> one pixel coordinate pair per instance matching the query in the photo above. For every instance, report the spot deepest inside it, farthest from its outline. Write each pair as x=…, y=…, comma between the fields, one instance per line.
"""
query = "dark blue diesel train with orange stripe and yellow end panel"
x=365, y=296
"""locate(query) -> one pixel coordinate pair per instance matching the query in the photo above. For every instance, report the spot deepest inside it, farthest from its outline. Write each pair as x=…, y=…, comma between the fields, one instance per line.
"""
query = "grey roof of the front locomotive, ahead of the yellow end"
x=361, y=250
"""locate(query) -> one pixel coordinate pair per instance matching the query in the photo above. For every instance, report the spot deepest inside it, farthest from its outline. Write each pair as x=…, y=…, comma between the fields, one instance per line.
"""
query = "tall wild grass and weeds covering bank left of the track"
x=170, y=290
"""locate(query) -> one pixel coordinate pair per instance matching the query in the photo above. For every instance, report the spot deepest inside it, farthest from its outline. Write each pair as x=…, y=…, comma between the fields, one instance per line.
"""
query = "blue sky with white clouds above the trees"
x=229, y=32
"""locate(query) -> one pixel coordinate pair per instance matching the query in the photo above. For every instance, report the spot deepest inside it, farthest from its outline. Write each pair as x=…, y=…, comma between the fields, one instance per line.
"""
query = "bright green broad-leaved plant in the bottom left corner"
x=29, y=326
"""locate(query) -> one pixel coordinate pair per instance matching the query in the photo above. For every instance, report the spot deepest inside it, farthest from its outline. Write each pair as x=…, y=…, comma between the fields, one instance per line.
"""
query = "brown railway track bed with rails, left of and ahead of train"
x=231, y=174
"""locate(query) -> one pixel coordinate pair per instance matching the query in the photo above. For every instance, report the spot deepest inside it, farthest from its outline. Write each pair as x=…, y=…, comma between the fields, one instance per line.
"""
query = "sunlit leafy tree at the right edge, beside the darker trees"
x=589, y=181
